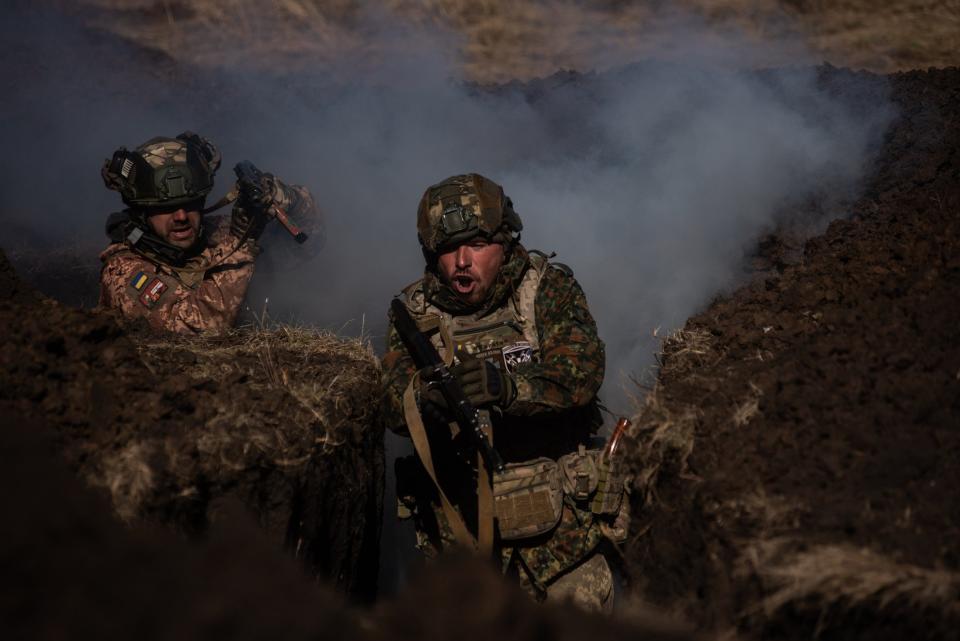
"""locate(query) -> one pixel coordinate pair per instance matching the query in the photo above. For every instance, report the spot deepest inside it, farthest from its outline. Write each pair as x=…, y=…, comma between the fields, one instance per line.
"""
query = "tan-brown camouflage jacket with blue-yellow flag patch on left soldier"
x=135, y=287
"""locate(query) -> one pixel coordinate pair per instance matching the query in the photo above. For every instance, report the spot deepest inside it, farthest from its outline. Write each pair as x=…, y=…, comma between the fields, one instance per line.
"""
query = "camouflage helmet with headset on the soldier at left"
x=163, y=172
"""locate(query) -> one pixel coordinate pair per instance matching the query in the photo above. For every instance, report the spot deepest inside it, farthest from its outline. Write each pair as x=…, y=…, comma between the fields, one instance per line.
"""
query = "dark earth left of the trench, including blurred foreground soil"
x=81, y=395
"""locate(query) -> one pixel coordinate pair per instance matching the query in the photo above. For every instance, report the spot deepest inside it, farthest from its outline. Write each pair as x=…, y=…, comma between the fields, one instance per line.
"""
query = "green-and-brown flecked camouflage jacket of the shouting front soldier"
x=554, y=412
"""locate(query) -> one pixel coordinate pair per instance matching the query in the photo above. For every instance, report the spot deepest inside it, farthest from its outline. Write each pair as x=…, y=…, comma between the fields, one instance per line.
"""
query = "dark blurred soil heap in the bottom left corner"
x=72, y=570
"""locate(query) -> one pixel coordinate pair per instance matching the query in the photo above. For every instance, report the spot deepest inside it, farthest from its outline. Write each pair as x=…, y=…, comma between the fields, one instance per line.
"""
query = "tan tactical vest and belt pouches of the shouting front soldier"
x=528, y=498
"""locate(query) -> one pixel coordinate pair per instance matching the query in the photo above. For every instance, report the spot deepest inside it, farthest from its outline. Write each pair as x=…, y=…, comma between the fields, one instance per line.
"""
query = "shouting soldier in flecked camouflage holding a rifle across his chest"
x=516, y=332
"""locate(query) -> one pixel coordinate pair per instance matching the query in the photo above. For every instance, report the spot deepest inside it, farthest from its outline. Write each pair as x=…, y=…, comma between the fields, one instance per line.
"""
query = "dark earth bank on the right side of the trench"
x=797, y=460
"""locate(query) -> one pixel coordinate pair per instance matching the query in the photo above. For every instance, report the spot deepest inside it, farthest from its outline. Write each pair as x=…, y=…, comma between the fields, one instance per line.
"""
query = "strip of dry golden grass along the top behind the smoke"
x=500, y=40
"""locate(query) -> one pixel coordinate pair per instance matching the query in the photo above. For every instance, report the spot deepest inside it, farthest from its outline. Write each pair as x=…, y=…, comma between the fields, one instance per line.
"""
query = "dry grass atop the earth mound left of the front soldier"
x=276, y=400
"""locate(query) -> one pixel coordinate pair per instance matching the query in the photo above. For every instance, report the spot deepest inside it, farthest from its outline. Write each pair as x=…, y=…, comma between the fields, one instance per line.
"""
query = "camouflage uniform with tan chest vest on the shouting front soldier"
x=556, y=361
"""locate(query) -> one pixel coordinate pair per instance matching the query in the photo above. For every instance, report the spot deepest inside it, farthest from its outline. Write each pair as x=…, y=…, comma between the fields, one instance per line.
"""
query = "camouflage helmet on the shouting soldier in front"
x=463, y=207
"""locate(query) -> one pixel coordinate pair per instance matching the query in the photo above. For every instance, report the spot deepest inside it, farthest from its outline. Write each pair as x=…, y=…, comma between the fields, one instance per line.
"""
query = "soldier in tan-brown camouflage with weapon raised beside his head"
x=167, y=262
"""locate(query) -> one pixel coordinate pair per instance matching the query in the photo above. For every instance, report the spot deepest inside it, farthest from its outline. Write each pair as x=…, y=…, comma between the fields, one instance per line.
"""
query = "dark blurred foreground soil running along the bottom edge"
x=71, y=570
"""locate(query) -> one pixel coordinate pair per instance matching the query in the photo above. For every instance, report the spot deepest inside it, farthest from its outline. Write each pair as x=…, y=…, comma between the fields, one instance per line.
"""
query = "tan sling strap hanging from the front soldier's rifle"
x=483, y=544
